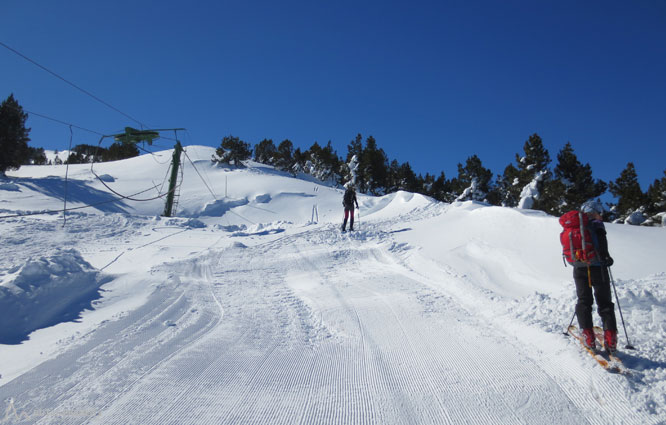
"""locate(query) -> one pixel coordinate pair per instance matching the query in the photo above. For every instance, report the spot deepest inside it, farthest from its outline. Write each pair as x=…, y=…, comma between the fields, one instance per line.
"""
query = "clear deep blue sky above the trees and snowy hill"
x=433, y=82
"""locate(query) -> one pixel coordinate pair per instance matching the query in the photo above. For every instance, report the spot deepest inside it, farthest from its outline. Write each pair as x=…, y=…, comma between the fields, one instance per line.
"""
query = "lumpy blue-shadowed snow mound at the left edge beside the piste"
x=45, y=292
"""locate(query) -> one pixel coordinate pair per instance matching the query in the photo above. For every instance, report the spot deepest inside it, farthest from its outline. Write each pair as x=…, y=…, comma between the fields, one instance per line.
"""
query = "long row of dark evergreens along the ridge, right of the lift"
x=529, y=182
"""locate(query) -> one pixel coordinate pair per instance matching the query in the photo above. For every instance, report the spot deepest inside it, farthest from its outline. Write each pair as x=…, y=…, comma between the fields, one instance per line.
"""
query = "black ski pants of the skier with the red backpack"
x=602, y=294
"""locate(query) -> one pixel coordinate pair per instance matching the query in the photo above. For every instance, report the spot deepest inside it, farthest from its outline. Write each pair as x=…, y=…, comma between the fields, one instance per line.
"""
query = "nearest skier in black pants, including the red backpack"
x=586, y=248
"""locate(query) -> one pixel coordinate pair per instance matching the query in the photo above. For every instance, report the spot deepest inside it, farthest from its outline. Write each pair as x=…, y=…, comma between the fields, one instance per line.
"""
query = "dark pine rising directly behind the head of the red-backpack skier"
x=574, y=183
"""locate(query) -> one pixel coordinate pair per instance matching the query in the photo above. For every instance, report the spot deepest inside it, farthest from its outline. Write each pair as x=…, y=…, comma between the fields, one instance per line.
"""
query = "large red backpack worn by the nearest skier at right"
x=577, y=244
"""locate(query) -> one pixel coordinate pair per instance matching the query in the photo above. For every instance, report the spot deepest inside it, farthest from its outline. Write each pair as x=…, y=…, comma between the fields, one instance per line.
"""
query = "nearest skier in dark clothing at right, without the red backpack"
x=595, y=278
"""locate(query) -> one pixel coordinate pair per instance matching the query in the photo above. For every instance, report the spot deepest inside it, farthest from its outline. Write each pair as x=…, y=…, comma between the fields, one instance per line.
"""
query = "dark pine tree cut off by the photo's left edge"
x=13, y=135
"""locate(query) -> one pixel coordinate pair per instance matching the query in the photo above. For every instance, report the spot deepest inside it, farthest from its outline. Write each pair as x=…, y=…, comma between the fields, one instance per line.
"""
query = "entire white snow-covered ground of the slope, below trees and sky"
x=251, y=306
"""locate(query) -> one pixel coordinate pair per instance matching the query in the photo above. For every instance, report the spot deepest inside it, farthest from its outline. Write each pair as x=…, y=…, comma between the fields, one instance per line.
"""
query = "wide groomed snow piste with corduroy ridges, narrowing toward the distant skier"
x=315, y=328
